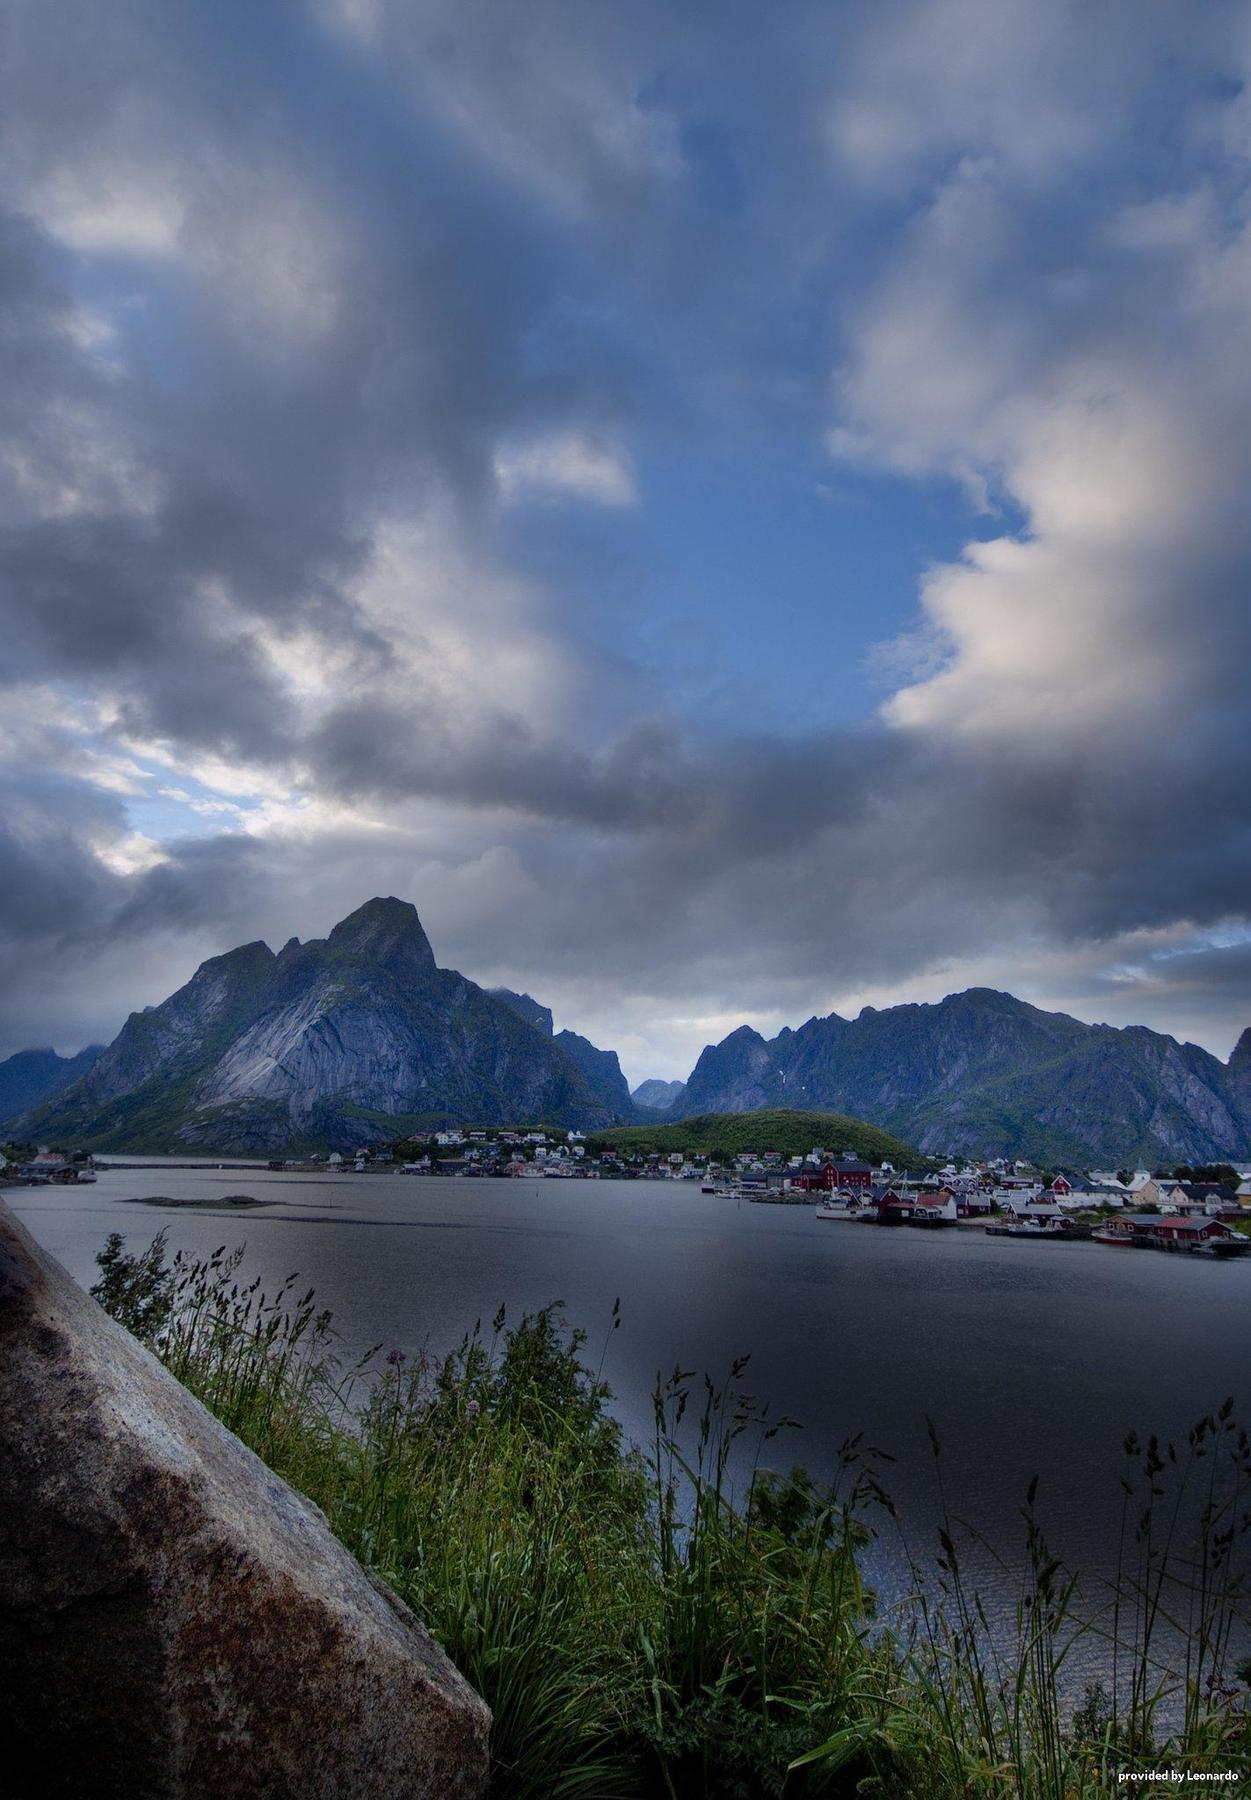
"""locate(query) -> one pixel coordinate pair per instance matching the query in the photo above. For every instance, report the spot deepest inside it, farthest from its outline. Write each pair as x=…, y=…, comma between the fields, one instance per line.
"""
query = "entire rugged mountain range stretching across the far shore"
x=361, y=1038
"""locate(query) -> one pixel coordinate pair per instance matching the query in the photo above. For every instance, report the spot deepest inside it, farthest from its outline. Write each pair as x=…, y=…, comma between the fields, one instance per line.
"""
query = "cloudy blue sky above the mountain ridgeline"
x=735, y=512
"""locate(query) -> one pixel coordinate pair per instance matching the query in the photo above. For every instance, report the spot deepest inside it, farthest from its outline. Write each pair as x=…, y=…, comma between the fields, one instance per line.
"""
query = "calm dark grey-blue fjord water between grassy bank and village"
x=1029, y=1358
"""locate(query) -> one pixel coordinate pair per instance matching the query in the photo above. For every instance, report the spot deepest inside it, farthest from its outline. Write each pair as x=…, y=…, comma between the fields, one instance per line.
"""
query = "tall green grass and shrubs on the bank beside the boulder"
x=638, y=1633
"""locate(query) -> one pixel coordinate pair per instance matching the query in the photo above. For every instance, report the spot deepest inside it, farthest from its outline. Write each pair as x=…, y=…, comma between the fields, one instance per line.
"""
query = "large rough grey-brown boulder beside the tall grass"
x=175, y=1621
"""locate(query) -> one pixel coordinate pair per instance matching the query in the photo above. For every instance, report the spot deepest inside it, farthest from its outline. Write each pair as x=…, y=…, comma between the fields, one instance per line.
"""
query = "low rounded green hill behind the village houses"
x=793, y=1133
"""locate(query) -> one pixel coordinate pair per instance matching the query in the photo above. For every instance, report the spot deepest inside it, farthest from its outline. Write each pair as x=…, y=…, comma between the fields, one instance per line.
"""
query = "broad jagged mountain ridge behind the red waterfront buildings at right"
x=985, y=1074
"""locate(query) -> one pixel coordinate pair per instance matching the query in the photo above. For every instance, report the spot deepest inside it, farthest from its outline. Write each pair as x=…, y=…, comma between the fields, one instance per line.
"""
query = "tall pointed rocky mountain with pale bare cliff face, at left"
x=350, y=1039
